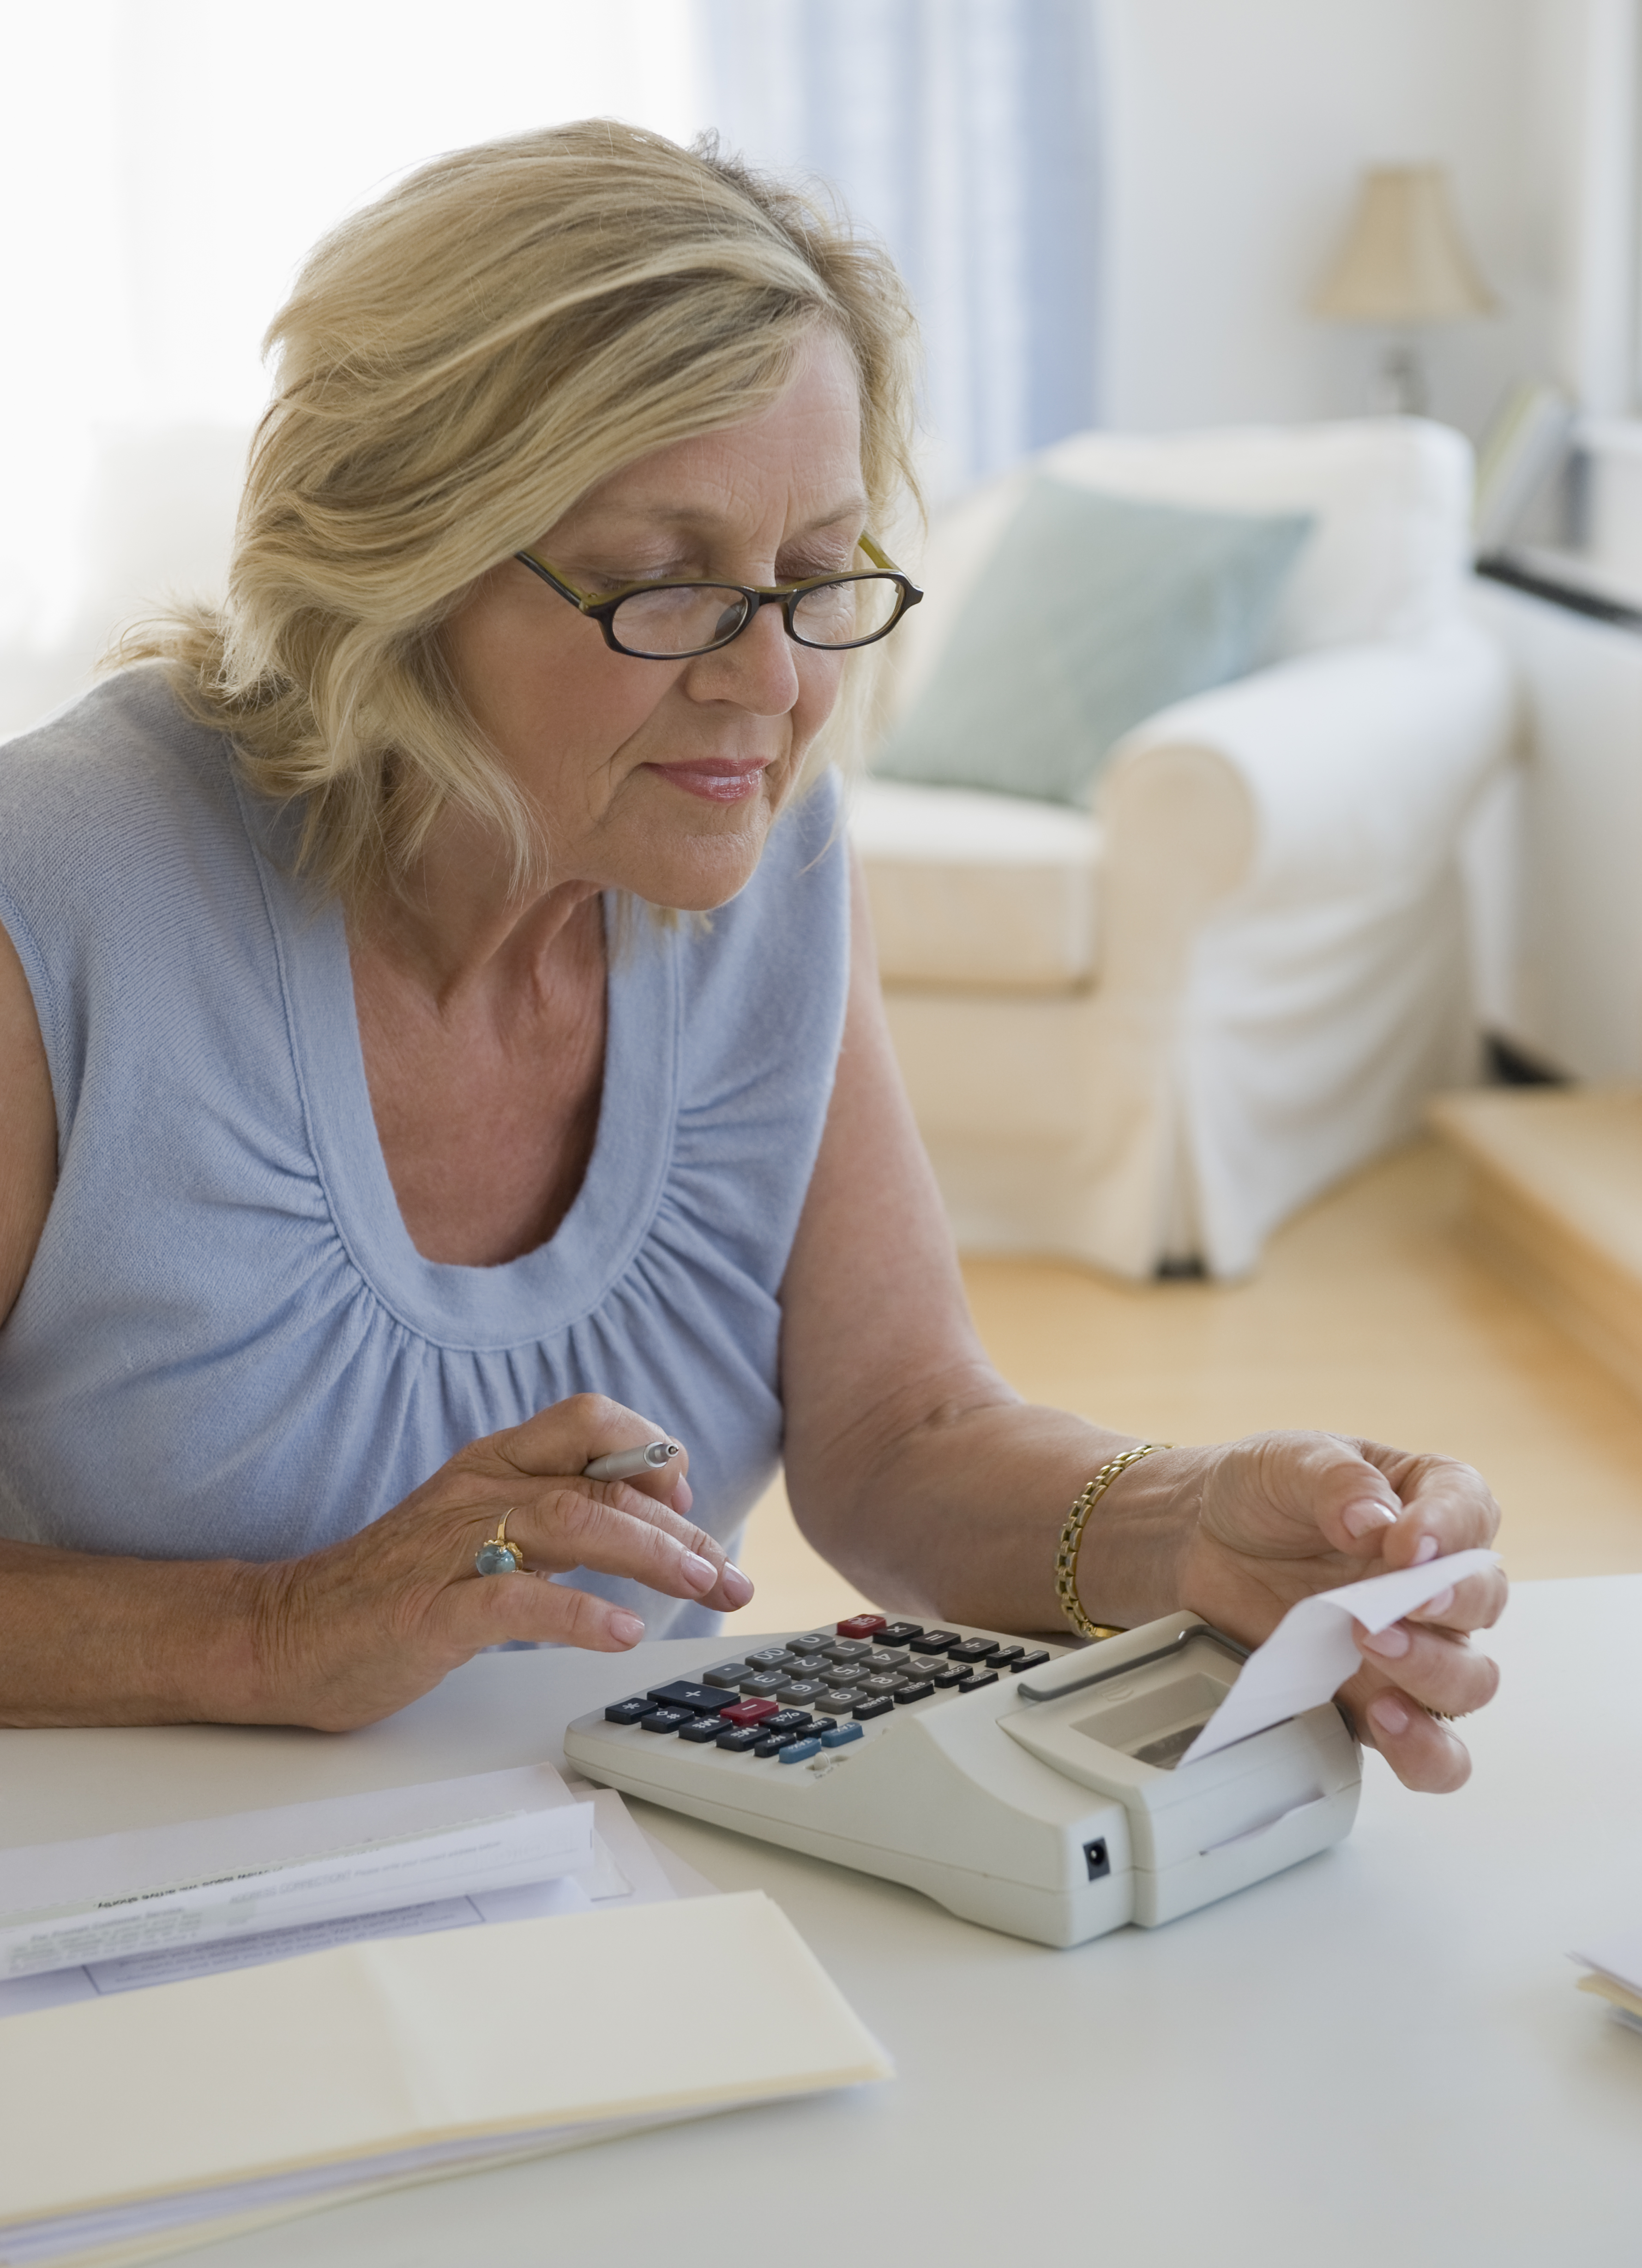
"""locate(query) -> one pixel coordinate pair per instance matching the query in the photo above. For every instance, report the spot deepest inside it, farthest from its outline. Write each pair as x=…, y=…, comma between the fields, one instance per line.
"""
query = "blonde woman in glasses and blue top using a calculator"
x=443, y=1044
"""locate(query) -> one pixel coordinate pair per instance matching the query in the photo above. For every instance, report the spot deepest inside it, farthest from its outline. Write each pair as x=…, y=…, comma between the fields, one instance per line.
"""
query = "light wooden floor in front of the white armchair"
x=1369, y=1319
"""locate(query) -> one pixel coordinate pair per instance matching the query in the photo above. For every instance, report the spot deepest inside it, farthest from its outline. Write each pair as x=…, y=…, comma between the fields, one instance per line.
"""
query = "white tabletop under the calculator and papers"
x=1376, y=2058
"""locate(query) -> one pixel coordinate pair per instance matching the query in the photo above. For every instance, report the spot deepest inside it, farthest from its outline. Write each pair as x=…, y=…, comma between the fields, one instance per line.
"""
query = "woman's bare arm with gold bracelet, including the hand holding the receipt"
x=920, y=1473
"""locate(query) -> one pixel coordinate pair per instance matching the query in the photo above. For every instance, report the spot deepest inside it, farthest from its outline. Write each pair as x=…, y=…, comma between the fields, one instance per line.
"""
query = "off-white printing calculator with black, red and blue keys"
x=1038, y=1791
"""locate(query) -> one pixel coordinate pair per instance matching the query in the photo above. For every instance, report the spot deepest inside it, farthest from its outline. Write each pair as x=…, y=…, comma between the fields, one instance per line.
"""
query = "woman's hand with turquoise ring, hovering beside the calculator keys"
x=364, y=1627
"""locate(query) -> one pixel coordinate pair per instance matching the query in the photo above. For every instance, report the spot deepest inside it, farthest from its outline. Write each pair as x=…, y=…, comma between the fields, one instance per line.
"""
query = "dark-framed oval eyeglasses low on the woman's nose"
x=668, y=623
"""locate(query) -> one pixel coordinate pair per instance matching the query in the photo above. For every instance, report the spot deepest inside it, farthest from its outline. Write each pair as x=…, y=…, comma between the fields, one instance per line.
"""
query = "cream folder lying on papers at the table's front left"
x=160, y=2119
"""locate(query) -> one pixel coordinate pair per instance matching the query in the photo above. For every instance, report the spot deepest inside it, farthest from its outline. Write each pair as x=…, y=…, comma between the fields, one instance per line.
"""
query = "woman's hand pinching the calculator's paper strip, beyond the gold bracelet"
x=1289, y=1514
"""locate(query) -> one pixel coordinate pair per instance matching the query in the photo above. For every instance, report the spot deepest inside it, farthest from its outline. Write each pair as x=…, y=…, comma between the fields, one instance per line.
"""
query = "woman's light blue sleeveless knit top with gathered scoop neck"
x=228, y=1344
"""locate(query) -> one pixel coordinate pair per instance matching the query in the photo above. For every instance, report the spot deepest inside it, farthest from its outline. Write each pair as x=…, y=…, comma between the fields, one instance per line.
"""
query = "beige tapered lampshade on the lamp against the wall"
x=1405, y=260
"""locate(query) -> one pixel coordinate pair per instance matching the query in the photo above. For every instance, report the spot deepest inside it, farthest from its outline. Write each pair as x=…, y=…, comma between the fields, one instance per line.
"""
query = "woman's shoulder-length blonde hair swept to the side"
x=457, y=369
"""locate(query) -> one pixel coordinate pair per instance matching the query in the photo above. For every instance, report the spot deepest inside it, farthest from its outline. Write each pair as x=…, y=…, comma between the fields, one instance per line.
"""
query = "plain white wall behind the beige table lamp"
x=1237, y=137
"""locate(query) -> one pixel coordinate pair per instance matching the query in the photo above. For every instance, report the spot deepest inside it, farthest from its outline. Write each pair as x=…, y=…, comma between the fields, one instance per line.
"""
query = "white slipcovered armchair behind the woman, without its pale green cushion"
x=1149, y=1033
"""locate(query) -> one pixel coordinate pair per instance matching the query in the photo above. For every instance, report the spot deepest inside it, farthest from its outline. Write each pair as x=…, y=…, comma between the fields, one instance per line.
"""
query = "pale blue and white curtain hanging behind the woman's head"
x=965, y=133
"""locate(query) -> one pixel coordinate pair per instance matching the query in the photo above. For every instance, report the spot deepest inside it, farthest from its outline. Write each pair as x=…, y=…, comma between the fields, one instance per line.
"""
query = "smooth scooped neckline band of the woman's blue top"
x=541, y=1292
